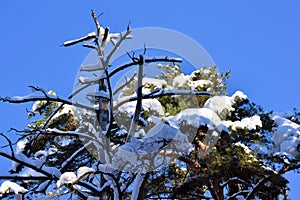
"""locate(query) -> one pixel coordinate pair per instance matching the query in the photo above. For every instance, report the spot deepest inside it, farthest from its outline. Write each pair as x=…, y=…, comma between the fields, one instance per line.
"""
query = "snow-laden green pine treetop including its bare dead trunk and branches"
x=172, y=136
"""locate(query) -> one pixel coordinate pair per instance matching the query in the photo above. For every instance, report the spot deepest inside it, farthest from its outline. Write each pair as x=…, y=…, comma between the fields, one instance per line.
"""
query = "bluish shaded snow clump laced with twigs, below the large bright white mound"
x=139, y=153
